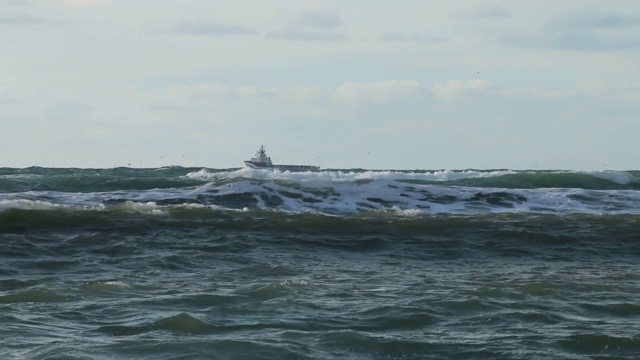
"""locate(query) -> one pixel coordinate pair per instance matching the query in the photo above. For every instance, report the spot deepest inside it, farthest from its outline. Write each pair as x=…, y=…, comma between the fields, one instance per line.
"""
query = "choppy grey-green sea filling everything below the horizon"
x=199, y=263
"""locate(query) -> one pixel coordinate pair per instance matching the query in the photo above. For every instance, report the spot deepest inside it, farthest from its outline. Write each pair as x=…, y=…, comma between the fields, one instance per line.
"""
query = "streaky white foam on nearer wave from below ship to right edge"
x=384, y=195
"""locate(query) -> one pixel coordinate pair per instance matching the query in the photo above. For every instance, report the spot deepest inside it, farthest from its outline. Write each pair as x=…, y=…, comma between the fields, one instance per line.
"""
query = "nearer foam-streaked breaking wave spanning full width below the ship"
x=338, y=200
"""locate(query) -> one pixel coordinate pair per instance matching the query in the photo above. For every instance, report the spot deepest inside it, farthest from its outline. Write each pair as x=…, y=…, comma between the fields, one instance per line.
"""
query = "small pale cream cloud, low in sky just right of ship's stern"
x=377, y=92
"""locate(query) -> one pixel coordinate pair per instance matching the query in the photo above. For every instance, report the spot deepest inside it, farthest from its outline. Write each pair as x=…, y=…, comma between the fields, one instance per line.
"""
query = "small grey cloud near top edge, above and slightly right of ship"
x=317, y=25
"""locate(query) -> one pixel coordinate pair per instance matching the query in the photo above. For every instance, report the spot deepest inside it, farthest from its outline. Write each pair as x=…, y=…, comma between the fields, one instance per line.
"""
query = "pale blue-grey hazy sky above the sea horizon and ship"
x=403, y=84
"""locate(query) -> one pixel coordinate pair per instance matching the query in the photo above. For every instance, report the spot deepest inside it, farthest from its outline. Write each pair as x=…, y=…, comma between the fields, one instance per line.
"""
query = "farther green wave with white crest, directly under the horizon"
x=126, y=179
